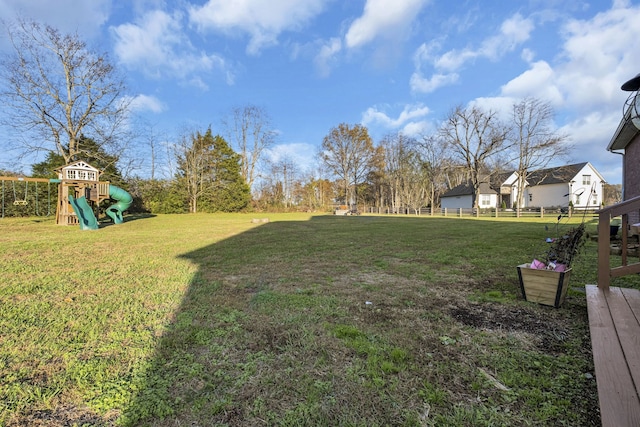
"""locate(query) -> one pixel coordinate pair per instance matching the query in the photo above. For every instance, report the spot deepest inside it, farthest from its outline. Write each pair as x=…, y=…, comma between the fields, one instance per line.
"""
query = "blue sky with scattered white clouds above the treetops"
x=391, y=65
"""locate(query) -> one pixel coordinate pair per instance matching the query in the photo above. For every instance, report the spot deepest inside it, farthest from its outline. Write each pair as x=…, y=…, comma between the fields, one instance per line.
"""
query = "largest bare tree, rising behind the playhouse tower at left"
x=56, y=91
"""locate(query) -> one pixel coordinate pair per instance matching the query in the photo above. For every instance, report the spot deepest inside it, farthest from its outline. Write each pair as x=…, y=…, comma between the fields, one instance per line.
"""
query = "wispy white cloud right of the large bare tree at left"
x=157, y=45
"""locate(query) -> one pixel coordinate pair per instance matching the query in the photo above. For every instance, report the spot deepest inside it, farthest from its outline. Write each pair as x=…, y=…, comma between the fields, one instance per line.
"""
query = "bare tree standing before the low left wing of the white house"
x=474, y=136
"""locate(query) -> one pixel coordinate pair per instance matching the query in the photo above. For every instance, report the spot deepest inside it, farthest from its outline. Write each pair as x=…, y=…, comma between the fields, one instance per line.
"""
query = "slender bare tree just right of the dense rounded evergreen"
x=249, y=129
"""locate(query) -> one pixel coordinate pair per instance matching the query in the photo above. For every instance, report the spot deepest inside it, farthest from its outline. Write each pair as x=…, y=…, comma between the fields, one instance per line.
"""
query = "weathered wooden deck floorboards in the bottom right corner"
x=614, y=321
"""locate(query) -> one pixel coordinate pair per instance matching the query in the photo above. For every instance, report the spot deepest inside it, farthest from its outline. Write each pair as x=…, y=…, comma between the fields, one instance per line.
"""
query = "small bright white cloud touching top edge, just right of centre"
x=382, y=17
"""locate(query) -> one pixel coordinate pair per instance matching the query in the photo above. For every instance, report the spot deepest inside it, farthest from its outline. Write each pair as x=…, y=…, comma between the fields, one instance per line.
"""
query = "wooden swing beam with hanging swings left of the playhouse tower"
x=21, y=198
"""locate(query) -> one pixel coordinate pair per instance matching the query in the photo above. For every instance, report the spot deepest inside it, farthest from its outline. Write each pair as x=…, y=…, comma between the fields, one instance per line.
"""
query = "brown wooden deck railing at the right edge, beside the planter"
x=623, y=210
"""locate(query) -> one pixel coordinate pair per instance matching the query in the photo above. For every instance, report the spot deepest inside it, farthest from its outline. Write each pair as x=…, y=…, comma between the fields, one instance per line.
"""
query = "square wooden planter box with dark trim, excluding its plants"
x=546, y=287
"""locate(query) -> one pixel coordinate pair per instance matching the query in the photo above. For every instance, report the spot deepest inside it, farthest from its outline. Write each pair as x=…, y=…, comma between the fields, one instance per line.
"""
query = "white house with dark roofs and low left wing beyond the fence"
x=580, y=184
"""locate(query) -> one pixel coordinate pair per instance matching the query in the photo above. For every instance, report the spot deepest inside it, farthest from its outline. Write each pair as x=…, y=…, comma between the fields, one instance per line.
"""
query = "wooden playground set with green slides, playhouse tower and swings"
x=80, y=191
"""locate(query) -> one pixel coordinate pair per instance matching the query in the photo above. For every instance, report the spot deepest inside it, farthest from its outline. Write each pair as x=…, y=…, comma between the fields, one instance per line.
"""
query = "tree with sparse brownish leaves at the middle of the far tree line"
x=349, y=153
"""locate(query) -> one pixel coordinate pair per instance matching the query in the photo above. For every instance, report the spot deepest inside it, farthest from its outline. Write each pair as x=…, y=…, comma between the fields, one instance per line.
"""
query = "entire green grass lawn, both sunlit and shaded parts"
x=305, y=320
